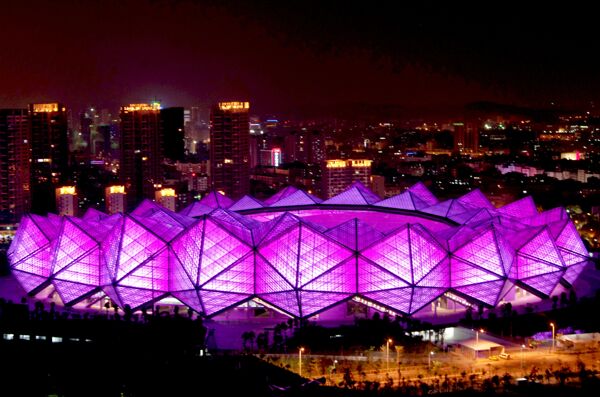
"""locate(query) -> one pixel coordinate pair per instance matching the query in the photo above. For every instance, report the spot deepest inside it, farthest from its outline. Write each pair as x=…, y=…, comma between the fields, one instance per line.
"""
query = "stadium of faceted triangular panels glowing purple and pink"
x=302, y=256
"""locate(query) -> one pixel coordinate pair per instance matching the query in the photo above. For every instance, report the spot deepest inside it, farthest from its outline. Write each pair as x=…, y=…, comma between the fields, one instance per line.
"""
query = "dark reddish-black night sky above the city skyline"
x=291, y=57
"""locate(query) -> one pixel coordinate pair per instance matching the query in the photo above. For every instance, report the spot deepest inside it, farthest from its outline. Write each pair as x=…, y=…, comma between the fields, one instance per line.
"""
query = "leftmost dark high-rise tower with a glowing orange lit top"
x=49, y=153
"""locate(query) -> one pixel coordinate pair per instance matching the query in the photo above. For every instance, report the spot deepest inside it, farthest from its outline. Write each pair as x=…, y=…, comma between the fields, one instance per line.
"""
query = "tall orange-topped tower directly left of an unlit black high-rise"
x=141, y=151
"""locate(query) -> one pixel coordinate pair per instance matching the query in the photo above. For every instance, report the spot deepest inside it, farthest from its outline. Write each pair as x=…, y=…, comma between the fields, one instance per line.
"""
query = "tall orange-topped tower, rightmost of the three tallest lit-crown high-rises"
x=229, y=148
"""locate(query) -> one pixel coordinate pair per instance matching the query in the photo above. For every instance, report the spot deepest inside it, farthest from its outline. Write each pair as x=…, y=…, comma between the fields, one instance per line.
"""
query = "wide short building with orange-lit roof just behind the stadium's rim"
x=337, y=175
